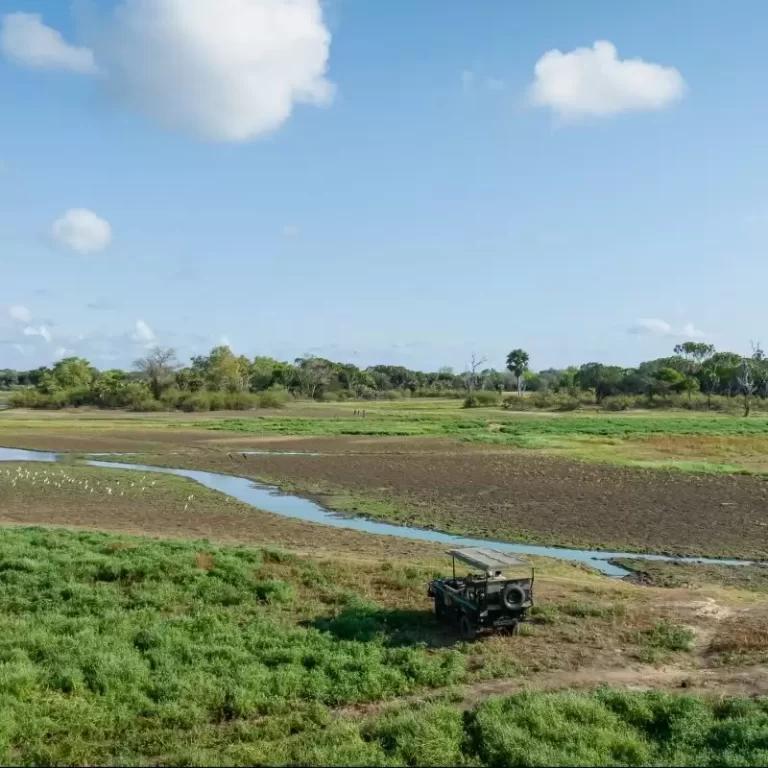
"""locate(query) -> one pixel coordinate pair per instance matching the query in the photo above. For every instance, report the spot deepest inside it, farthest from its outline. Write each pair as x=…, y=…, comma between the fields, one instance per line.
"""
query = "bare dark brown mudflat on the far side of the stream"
x=519, y=496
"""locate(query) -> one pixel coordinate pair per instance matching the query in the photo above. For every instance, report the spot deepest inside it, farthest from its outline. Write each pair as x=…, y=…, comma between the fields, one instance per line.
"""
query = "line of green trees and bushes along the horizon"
x=223, y=379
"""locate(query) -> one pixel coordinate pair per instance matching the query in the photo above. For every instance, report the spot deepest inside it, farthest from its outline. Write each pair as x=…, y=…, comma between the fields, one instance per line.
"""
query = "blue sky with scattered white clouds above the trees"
x=383, y=185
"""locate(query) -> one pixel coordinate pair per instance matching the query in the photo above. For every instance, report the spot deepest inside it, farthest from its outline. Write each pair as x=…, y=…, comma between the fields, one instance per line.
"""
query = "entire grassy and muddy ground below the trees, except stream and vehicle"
x=148, y=620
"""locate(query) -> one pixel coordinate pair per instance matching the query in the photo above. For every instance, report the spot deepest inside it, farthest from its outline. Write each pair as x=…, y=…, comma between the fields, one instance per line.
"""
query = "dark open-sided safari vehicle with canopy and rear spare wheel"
x=495, y=595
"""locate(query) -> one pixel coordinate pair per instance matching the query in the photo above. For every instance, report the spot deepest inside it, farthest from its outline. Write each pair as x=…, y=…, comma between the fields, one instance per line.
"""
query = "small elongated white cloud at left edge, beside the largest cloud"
x=25, y=39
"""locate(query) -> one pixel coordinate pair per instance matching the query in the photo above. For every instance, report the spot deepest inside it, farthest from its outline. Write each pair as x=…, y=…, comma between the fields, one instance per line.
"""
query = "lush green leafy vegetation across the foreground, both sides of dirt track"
x=123, y=651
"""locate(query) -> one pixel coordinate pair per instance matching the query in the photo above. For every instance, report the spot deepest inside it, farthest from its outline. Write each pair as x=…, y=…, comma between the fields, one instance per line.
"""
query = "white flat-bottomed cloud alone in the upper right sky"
x=594, y=81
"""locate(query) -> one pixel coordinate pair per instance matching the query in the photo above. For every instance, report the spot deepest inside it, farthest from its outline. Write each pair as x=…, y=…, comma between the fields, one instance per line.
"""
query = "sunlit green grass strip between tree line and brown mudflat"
x=683, y=440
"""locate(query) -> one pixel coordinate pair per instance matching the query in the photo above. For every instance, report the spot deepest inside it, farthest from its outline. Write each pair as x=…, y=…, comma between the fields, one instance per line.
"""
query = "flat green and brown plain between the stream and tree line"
x=562, y=479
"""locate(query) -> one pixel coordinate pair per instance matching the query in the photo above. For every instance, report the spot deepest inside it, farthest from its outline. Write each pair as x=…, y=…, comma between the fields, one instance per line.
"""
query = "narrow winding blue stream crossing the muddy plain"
x=271, y=499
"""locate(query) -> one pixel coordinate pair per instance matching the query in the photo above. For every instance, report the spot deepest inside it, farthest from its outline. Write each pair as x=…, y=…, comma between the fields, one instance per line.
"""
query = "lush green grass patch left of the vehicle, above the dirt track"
x=132, y=652
